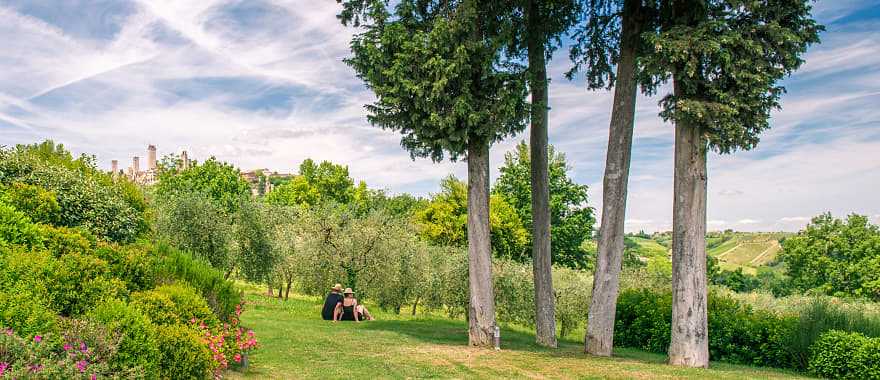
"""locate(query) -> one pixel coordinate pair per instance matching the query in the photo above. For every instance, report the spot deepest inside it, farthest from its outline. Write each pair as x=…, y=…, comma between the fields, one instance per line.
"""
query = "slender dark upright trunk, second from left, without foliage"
x=545, y=310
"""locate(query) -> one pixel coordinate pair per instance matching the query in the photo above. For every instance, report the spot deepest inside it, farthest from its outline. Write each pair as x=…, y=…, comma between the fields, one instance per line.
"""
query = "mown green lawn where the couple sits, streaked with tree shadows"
x=297, y=344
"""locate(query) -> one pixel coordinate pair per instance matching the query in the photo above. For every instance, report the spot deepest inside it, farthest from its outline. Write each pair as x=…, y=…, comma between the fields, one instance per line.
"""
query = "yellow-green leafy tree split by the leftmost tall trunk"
x=444, y=221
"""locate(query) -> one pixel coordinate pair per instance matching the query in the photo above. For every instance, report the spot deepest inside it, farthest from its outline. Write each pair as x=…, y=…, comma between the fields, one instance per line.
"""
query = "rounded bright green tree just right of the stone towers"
x=218, y=180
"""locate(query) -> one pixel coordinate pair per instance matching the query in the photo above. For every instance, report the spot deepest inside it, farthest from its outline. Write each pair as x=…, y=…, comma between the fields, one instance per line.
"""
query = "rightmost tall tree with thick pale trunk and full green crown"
x=725, y=58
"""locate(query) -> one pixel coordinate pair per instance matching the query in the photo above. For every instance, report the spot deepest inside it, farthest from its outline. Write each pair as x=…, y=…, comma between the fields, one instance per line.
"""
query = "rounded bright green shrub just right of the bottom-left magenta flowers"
x=138, y=346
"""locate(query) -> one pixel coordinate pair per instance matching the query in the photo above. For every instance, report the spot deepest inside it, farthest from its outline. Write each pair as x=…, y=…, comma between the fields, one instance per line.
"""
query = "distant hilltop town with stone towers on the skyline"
x=259, y=179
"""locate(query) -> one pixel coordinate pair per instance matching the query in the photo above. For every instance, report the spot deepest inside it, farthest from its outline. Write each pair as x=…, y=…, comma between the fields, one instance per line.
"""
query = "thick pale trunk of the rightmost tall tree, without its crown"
x=689, y=345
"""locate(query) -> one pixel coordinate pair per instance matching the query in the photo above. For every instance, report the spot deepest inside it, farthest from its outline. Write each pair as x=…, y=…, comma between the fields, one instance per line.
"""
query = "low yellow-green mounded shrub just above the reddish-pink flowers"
x=174, y=304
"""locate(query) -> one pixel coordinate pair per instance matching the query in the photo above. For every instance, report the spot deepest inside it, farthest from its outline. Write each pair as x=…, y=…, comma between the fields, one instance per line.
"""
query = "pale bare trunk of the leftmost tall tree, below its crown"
x=481, y=313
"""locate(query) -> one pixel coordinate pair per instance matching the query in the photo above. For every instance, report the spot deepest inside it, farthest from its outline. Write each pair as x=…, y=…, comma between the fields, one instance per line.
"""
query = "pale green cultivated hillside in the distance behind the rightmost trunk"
x=746, y=250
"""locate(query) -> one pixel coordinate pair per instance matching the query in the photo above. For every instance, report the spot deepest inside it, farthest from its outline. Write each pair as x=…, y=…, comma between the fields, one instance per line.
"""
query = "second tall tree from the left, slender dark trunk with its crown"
x=538, y=28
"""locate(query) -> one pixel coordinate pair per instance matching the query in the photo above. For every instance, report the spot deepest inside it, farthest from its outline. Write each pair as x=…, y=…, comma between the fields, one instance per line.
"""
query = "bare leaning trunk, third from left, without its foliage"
x=599, y=339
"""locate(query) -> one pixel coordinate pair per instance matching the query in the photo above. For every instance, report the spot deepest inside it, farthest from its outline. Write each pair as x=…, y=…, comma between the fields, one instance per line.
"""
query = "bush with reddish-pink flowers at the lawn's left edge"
x=229, y=342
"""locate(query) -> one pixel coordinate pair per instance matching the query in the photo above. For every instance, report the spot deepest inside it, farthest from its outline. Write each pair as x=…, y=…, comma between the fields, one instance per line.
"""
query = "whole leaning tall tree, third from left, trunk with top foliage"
x=611, y=37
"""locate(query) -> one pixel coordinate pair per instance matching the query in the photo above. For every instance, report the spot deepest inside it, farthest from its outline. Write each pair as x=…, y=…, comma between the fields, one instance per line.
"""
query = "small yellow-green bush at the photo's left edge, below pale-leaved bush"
x=39, y=204
